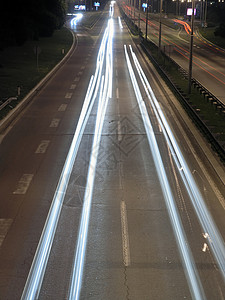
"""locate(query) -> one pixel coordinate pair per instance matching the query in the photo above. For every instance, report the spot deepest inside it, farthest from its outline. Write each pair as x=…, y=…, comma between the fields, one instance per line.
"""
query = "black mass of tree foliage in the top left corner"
x=29, y=19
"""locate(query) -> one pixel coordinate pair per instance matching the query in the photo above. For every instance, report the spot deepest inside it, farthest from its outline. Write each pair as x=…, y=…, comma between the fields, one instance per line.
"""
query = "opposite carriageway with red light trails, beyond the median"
x=208, y=59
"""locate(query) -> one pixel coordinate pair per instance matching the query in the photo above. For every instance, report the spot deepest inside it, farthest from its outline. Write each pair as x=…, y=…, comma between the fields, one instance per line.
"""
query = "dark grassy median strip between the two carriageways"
x=213, y=119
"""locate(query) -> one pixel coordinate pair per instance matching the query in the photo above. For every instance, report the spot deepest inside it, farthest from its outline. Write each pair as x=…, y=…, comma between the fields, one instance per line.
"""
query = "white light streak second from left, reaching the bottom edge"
x=105, y=93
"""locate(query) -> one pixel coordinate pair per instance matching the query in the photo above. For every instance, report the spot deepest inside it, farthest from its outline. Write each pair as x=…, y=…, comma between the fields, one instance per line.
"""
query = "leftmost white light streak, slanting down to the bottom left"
x=37, y=271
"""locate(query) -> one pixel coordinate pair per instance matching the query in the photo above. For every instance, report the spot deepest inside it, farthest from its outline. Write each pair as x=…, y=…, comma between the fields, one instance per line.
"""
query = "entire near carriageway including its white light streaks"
x=107, y=189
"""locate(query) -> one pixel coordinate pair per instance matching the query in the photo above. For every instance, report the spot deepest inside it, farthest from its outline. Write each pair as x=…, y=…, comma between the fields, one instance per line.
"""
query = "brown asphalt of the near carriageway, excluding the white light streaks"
x=132, y=248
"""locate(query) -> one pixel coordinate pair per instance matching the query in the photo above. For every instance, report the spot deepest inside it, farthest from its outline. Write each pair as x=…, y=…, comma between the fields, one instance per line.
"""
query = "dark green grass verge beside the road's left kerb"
x=20, y=66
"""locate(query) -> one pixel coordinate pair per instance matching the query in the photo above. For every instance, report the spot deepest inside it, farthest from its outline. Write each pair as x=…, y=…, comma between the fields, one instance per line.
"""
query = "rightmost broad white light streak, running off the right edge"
x=215, y=240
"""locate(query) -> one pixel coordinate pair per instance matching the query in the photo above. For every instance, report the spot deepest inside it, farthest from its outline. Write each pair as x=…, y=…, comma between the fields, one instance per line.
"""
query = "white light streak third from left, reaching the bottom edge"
x=188, y=261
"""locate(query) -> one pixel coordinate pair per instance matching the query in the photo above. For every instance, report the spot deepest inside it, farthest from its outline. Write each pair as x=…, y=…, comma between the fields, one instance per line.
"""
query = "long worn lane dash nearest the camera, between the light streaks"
x=125, y=235
